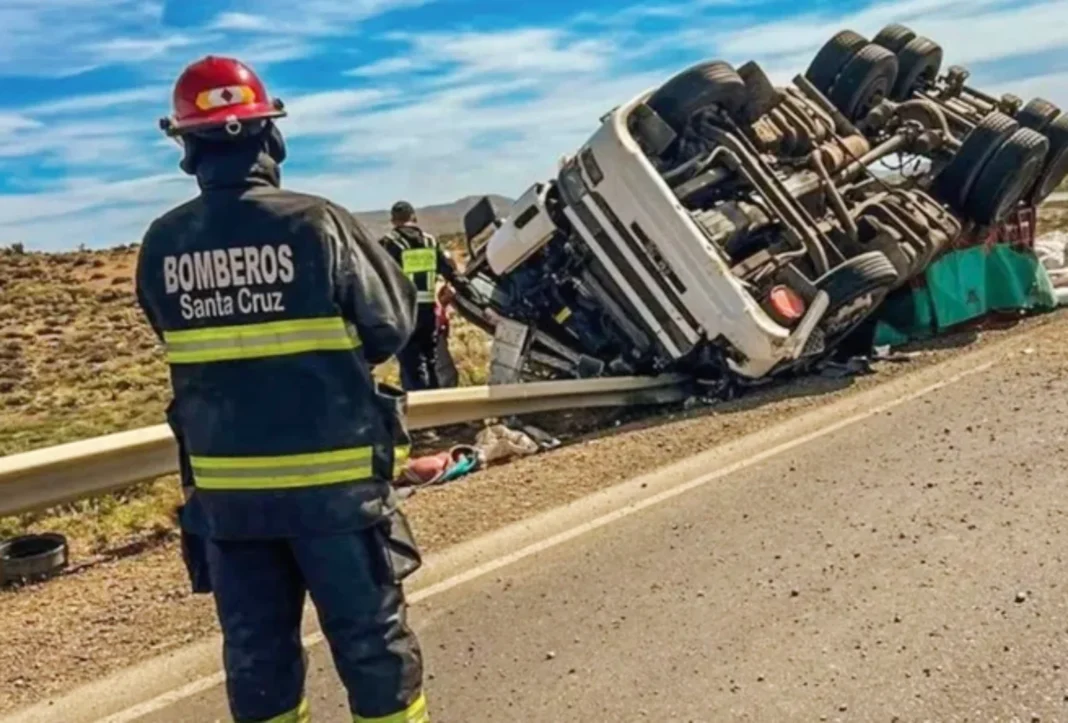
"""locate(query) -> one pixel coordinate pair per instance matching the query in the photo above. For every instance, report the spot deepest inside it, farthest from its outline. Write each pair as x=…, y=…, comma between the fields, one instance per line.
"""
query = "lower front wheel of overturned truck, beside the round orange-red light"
x=856, y=289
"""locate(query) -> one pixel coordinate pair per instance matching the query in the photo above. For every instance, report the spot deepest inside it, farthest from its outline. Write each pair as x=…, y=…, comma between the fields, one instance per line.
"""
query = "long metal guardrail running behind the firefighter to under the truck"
x=56, y=476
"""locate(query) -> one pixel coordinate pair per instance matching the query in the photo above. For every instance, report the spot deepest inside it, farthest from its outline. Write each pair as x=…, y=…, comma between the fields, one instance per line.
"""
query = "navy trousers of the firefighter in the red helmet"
x=260, y=589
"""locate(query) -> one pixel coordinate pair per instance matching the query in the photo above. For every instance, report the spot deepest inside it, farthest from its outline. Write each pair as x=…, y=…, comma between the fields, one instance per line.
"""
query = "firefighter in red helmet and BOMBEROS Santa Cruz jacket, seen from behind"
x=272, y=307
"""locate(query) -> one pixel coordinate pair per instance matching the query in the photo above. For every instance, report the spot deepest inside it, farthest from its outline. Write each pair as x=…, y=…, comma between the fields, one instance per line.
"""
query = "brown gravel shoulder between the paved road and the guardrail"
x=117, y=612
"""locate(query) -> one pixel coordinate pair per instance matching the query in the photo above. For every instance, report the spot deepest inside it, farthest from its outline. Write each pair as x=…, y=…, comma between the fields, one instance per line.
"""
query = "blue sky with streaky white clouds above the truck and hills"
x=426, y=100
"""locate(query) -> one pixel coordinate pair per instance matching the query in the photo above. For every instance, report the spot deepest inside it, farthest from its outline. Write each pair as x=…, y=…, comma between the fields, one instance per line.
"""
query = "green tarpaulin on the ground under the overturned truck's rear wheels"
x=965, y=286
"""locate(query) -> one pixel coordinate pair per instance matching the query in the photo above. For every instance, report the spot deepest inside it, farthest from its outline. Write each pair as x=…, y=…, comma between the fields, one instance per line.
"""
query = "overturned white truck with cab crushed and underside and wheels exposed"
x=721, y=227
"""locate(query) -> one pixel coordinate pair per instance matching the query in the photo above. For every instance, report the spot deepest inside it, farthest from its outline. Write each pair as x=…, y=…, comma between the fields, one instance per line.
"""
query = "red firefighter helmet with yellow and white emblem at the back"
x=219, y=92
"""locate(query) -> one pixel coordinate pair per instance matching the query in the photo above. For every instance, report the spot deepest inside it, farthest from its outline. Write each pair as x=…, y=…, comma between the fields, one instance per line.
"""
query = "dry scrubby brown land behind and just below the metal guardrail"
x=77, y=360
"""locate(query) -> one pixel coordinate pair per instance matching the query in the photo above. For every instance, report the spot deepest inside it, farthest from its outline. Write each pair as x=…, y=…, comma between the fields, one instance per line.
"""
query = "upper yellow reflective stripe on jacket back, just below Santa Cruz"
x=258, y=341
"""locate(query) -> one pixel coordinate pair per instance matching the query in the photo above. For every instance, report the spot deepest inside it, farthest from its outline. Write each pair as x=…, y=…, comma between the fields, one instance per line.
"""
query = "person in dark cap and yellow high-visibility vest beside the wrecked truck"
x=421, y=258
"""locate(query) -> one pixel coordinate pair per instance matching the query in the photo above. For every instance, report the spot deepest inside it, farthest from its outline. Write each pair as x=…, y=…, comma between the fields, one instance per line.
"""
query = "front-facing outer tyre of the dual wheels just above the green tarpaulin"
x=1008, y=177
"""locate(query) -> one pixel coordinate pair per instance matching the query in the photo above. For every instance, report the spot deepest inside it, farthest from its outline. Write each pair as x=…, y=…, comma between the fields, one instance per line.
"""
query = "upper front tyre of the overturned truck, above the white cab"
x=699, y=87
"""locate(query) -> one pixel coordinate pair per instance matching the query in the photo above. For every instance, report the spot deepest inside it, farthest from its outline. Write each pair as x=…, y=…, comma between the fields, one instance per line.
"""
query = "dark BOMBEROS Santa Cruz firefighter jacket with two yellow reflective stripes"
x=273, y=306
